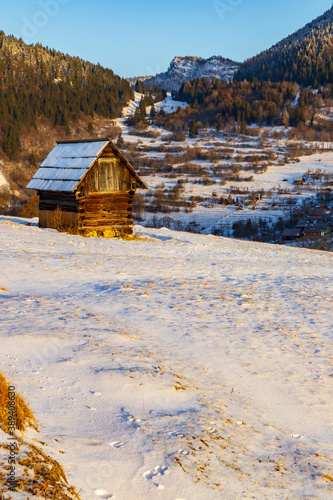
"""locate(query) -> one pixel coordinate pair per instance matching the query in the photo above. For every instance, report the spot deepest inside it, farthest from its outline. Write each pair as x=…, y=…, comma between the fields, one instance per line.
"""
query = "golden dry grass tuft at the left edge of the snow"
x=24, y=416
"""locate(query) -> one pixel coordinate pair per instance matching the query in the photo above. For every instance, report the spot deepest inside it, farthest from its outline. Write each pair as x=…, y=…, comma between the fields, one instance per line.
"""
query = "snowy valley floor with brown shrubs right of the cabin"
x=216, y=183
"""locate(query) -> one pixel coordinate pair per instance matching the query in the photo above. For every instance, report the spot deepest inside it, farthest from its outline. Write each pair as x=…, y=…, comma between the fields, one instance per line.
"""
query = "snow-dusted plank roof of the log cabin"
x=69, y=161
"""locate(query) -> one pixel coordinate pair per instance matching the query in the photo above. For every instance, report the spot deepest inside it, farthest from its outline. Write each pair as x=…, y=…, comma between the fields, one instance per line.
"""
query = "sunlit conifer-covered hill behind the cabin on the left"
x=36, y=81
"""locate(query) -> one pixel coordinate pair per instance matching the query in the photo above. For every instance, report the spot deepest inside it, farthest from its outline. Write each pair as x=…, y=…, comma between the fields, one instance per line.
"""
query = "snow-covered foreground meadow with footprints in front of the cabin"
x=175, y=366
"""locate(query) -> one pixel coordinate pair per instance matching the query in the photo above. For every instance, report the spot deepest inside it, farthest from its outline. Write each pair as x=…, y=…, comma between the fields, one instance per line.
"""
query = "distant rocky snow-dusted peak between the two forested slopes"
x=183, y=69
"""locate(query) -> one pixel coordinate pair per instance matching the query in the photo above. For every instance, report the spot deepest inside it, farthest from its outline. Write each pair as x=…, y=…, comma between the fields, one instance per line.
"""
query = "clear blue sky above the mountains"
x=136, y=38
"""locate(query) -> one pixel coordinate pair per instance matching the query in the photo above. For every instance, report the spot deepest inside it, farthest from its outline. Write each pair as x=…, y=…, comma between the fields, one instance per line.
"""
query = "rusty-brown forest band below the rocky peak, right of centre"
x=220, y=104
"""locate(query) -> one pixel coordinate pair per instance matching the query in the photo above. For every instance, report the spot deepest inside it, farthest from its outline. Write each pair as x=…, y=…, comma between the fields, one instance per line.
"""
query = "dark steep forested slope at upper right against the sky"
x=304, y=57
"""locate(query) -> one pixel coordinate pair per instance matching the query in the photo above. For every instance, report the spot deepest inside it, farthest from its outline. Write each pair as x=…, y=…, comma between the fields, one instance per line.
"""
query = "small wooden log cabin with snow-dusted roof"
x=88, y=186
